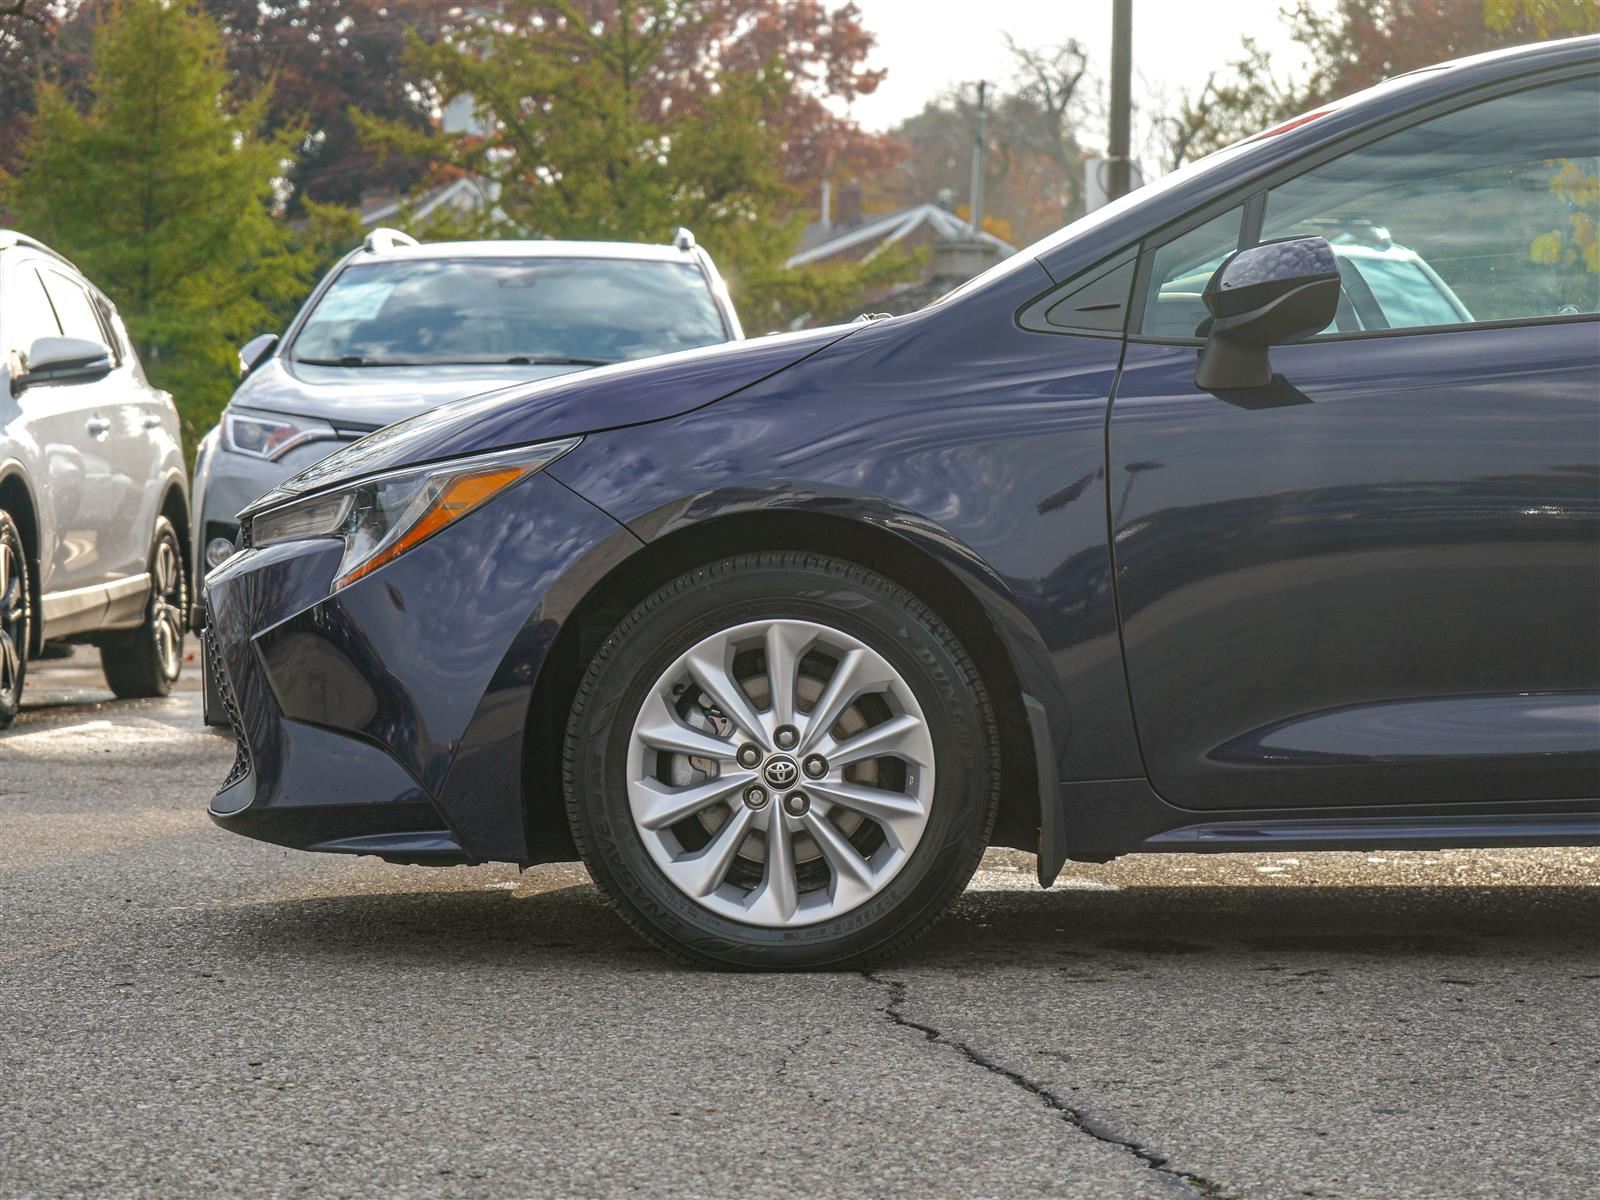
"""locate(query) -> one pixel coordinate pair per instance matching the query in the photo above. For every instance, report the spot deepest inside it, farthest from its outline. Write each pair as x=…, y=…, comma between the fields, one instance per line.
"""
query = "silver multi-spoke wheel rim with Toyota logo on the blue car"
x=826, y=810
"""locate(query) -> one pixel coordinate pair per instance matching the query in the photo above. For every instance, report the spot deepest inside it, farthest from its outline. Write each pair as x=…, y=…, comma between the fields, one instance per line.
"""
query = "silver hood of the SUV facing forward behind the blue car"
x=374, y=396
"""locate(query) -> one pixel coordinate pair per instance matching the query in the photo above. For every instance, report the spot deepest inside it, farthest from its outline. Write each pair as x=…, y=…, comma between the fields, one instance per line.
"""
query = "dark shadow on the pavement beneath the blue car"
x=988, y=929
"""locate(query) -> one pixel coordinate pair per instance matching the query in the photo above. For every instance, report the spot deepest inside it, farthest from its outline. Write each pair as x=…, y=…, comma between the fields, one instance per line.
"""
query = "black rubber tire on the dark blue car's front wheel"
x=786, y=586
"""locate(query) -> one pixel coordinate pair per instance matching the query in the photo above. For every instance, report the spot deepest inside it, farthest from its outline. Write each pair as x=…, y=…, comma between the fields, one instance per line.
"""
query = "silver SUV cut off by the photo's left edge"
x=94, y=495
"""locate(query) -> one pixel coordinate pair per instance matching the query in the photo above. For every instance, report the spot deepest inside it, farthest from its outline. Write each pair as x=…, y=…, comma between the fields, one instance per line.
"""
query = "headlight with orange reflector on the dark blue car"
x=385, y=516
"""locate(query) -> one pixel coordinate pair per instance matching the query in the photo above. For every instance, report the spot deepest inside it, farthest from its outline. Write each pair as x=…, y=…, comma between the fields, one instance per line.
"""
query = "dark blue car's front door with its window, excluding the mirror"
x=1378, y=580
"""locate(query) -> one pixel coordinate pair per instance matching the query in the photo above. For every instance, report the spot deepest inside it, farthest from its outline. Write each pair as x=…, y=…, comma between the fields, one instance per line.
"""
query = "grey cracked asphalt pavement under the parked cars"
x=190, y=1014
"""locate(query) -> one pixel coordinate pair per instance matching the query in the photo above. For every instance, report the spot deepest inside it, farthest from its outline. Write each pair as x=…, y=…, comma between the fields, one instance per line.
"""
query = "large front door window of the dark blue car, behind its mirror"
x=1486, y=214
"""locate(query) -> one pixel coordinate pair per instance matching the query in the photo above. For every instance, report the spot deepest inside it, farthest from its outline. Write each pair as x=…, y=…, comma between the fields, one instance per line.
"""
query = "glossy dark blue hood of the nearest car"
x=604, y=398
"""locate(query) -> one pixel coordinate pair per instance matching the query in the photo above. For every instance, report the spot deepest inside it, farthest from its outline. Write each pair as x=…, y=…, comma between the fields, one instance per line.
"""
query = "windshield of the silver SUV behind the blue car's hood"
x=566, y=311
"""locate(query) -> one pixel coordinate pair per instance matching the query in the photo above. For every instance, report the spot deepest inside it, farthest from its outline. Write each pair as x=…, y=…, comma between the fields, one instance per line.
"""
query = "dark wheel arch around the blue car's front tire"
x=910, y=556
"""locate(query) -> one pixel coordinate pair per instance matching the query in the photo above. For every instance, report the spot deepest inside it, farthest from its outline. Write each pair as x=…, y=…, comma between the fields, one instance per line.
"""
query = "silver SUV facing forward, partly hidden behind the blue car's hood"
x=401, y=327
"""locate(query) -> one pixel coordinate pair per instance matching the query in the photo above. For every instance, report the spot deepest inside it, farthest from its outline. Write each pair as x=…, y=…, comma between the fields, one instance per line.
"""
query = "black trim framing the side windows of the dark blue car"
x=1255, y=201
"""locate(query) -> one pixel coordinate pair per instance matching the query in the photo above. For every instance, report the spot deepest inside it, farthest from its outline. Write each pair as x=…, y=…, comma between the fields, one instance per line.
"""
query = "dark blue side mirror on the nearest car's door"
x=1265, y=297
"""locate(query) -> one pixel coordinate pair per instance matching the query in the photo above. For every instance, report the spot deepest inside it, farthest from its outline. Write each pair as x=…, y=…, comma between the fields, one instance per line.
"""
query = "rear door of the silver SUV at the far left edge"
x=114, y=460
